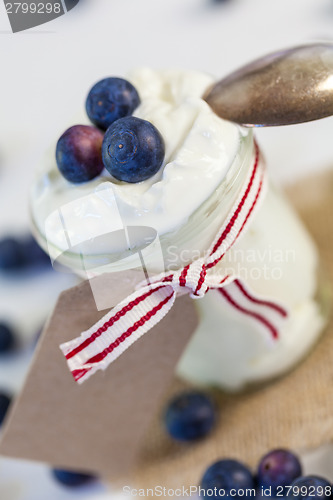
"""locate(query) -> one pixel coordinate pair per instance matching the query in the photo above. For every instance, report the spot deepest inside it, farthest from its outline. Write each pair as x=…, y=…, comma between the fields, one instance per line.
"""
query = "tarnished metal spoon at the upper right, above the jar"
x=286, y=87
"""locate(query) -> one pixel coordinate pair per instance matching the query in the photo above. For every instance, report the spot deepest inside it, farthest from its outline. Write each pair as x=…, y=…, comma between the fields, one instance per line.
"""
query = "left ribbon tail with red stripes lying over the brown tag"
x=104, y=342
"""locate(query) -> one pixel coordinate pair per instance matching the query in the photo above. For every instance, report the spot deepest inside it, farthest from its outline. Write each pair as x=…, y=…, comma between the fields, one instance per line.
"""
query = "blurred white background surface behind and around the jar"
x=47, y=71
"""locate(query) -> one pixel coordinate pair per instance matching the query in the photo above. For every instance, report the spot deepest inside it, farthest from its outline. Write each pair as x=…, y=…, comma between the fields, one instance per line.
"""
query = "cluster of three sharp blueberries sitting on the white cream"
x=131, y=149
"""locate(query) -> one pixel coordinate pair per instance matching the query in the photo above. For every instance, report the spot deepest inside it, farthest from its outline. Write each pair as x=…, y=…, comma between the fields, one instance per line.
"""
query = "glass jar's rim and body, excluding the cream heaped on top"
x=276, y=259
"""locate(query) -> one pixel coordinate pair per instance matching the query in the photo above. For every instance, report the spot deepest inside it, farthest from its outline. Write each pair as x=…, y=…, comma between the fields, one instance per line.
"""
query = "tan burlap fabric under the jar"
x=295, y=411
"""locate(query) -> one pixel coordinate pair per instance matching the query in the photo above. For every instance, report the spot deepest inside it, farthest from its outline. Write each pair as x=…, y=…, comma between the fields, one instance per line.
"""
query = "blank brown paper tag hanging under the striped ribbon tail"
x=98, y=426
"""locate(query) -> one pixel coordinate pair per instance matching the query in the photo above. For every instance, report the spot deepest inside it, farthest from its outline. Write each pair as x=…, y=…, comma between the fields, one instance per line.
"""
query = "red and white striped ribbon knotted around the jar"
x=99, y=346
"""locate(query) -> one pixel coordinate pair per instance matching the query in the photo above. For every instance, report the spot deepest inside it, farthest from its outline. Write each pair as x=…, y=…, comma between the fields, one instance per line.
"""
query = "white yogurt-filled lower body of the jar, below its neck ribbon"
x=228, y=349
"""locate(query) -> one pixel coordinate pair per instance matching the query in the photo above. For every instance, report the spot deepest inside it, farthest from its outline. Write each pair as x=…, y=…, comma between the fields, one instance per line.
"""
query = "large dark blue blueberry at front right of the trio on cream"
x=133, y=149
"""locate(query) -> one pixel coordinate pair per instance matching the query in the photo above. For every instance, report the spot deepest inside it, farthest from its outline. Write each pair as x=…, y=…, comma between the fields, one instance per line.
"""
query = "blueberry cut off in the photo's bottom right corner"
x=309, y=487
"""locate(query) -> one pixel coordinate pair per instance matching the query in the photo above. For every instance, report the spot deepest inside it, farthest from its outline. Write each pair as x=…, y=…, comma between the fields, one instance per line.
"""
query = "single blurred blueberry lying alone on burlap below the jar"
x=190, y=416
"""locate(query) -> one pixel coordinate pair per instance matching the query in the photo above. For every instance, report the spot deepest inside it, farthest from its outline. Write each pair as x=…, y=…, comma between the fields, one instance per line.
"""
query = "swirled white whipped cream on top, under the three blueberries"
x=200, y=147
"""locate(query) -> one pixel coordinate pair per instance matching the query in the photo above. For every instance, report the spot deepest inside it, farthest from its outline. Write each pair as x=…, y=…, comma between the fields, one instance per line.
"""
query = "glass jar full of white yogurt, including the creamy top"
x=206, y=164
